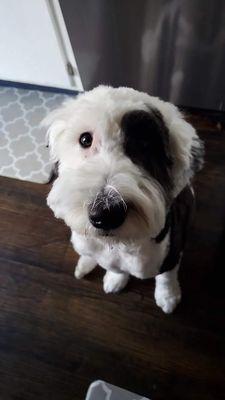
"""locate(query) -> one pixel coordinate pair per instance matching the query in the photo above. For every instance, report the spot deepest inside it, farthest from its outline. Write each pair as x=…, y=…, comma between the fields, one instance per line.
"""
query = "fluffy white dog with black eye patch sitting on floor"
x=125, y=166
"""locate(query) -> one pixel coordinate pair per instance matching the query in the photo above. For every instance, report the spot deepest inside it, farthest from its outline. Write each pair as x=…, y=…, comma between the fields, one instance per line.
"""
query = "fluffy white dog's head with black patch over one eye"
x=123, y=156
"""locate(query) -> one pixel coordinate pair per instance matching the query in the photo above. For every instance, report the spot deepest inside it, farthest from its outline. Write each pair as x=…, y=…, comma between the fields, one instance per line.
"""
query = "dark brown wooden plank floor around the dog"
x=57, y=334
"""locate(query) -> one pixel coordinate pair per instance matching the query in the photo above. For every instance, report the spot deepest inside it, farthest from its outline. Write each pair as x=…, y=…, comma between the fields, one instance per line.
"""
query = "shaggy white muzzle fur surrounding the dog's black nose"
x=74, y=191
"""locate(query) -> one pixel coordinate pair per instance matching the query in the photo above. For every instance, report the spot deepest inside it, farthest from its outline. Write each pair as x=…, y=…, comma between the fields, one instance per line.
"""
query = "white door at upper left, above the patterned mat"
x=34, y=45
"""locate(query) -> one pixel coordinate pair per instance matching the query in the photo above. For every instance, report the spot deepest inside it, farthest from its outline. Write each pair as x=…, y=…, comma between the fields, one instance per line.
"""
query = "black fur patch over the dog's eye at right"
x=146, y=143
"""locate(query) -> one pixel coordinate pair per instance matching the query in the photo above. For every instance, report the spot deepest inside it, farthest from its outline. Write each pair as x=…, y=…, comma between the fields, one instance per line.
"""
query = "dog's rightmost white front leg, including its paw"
x=167, y=290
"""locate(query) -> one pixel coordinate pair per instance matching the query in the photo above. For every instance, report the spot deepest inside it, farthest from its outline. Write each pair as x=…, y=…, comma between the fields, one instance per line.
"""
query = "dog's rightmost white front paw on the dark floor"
x=167, y=298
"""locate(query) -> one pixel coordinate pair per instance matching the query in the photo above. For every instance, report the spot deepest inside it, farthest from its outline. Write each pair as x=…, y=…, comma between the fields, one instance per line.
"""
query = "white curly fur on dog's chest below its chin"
x=142, y=259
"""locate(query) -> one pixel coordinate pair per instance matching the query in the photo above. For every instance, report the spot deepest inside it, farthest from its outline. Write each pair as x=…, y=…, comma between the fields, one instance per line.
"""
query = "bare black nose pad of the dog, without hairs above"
x=107, y=217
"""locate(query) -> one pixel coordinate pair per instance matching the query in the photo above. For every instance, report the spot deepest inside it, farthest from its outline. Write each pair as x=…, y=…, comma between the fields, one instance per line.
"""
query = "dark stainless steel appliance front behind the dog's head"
x=174, y=49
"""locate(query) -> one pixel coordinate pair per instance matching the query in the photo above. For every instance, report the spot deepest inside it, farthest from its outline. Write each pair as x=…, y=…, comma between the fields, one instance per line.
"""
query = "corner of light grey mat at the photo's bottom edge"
x=100, y=390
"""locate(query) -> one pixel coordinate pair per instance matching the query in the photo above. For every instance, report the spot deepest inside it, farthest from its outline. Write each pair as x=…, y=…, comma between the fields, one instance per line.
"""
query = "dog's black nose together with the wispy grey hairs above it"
x=108, y=211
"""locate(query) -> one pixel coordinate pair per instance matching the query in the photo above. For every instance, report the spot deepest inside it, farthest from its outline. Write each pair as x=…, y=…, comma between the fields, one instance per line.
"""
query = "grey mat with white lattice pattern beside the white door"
x=23, y=151
